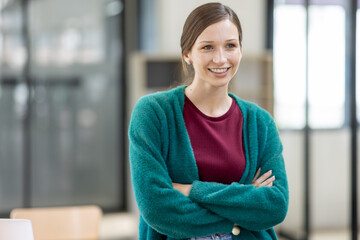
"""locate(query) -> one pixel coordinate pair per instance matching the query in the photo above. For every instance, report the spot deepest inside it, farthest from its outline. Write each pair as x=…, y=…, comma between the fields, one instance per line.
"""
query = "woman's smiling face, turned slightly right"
x=216, y=54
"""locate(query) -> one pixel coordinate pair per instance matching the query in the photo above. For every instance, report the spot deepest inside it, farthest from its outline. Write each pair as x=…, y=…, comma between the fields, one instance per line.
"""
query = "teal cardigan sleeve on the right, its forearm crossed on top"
x=250, y=207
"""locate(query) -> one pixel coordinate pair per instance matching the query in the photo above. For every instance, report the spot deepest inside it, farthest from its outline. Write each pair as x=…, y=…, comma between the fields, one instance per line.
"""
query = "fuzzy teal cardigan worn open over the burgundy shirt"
x=161, y=153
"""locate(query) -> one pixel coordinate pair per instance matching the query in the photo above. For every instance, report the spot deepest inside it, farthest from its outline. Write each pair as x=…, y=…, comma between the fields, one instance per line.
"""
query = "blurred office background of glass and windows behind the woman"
x=71, y=71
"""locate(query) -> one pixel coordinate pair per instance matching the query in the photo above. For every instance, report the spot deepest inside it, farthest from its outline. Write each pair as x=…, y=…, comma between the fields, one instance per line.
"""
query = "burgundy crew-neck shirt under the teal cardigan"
x=217, y=143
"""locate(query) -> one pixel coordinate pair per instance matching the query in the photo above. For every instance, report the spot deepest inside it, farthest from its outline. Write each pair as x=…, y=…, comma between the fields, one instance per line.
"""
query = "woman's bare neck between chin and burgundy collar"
x=212, y=101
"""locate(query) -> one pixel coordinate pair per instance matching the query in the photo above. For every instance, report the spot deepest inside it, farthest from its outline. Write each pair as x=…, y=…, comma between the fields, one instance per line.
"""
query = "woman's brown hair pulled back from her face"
x=199, y=19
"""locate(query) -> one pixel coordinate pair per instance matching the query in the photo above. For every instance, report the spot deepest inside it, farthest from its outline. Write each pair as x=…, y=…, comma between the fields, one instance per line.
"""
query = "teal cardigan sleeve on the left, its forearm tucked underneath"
x=163, y=208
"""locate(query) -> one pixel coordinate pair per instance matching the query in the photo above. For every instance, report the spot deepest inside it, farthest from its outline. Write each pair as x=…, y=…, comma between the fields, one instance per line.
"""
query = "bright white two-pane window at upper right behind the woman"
x=326, y=68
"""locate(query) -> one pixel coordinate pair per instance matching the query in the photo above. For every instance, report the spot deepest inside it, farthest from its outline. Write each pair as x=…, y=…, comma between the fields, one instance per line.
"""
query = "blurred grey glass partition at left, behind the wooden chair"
x=76, y=98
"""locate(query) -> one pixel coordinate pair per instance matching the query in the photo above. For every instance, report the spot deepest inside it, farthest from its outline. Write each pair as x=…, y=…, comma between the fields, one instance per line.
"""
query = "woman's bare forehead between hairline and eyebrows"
x=222, y=30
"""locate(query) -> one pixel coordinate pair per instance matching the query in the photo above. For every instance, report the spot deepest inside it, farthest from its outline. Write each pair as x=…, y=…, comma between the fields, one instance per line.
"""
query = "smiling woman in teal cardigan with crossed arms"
x=197, y=151
